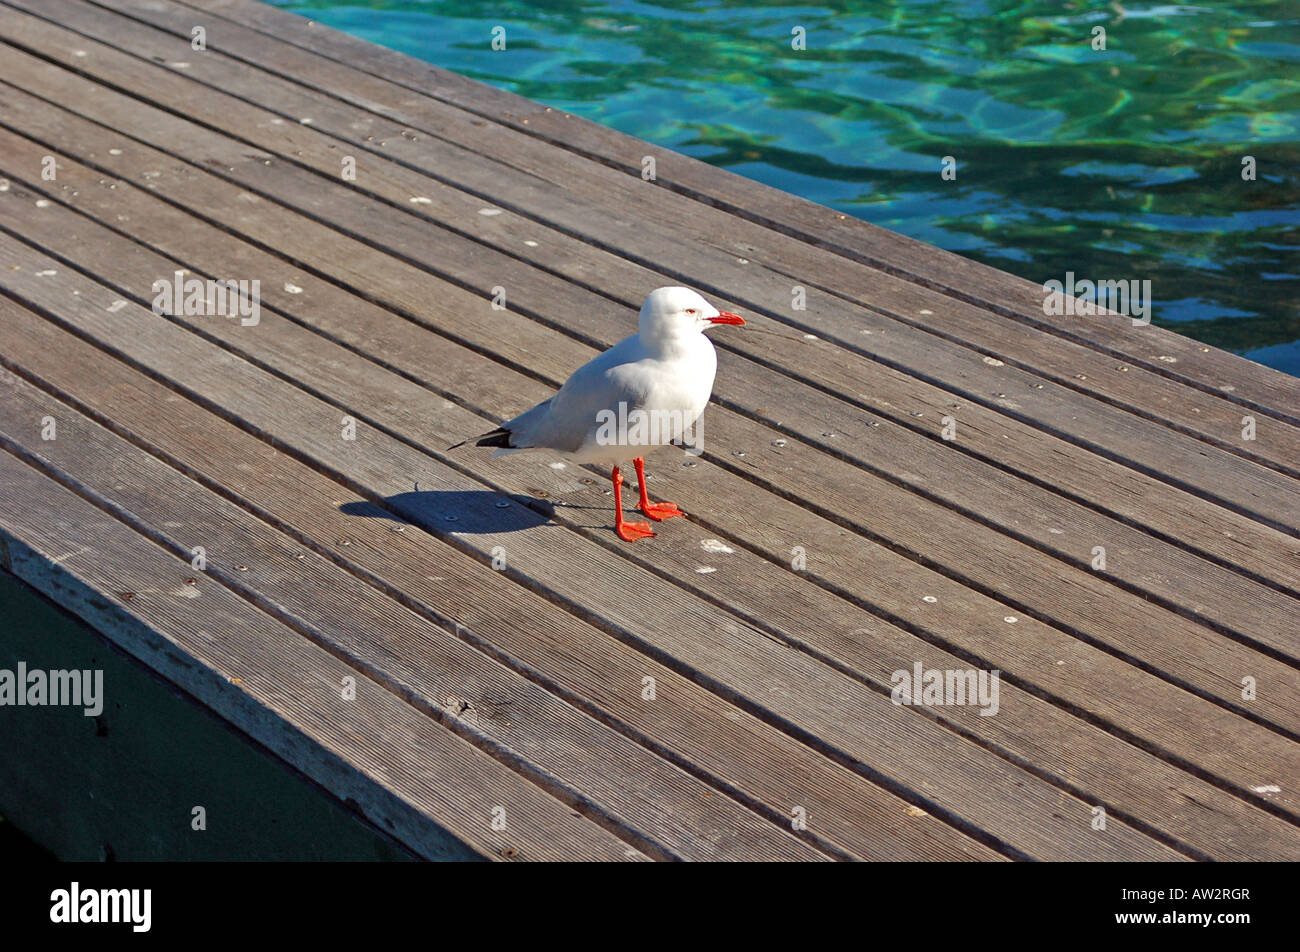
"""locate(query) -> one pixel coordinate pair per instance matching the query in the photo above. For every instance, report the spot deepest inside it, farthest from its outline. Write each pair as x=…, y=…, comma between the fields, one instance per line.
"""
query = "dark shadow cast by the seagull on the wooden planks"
x=474, y=512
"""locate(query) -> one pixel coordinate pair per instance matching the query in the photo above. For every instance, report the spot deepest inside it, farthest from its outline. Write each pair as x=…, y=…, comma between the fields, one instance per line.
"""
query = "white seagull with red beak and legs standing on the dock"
x=643, y=393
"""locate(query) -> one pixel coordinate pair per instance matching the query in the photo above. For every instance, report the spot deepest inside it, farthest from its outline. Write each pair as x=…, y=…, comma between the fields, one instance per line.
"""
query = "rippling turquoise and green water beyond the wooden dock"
x=1119, y=165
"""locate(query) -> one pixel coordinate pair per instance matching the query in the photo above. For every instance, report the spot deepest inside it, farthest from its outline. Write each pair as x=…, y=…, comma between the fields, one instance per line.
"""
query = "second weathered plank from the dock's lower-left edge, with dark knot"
x=649, y=803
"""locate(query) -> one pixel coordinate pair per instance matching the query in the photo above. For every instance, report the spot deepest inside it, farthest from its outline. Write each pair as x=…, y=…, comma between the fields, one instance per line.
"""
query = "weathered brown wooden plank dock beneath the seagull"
x=458, y=648
